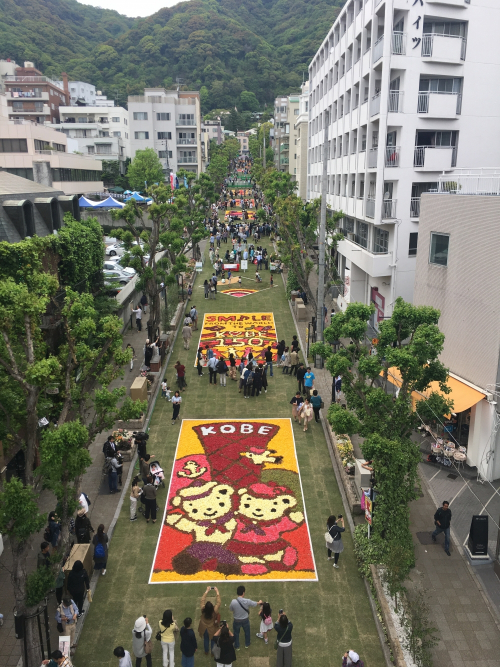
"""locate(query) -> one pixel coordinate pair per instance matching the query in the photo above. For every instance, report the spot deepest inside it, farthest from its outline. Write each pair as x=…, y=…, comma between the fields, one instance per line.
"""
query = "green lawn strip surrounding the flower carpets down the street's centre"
x=329, y=616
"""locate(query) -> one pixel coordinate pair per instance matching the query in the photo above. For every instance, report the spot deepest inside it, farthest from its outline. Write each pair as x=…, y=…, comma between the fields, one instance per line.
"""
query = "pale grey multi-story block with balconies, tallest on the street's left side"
x=169, y=121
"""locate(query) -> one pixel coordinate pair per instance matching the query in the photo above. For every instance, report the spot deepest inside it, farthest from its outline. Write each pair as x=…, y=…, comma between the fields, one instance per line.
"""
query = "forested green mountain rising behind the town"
x=220, y=47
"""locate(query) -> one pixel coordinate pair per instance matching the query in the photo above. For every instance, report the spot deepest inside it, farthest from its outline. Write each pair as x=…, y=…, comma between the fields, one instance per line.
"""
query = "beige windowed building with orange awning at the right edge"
x=455, y=230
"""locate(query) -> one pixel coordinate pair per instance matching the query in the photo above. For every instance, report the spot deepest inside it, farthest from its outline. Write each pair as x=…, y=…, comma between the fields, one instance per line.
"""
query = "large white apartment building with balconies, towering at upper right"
x=409, y=91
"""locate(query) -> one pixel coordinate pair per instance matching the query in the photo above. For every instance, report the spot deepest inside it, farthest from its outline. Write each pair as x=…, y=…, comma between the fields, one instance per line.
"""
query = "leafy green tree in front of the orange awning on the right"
x=408, y=347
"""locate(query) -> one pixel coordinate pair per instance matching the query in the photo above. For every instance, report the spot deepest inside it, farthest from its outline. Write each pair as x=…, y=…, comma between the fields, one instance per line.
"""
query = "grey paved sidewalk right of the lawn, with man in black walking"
x=464, y=599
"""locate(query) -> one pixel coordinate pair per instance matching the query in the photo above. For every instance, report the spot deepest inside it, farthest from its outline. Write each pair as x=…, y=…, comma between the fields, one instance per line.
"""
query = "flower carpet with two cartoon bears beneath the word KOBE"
x=235, y=508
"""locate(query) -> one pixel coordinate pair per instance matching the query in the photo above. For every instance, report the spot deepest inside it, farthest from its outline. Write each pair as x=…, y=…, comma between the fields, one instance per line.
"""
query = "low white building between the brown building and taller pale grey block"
x=102, y=132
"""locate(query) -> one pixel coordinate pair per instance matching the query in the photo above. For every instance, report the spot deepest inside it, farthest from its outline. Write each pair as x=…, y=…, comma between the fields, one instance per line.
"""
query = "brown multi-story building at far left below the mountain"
x=32, y=96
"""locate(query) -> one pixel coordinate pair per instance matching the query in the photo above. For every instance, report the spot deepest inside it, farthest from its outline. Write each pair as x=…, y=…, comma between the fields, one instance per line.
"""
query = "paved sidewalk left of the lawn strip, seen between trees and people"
x=102, y=510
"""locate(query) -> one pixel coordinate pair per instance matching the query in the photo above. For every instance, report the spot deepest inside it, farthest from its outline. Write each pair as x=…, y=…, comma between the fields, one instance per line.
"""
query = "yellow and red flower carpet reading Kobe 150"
x=239, y=334
